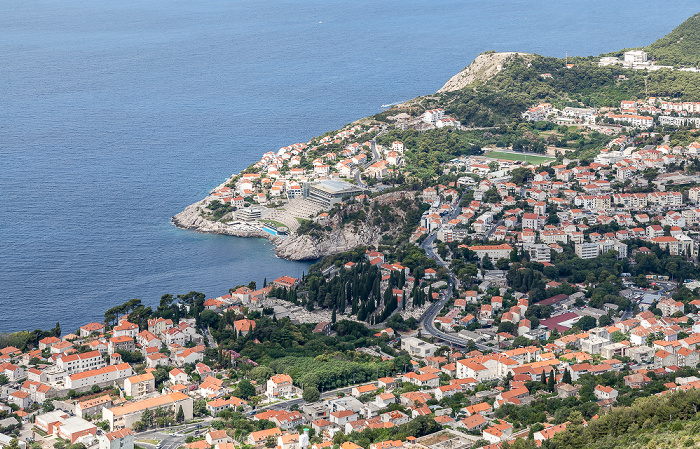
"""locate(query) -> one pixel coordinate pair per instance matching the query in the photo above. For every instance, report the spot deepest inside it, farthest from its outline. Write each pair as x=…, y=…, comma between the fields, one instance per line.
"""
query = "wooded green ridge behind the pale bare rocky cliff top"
x=520, y=85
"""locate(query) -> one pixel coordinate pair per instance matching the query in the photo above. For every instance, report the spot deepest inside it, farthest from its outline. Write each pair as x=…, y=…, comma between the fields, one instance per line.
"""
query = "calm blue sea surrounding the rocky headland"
x=115, y=115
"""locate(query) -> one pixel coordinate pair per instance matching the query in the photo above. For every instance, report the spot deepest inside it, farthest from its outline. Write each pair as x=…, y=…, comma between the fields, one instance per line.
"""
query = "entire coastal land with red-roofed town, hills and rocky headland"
x=509, y=263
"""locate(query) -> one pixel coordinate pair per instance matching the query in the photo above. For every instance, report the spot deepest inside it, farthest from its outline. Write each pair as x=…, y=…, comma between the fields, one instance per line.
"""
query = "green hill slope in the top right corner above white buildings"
x=681, y=47
